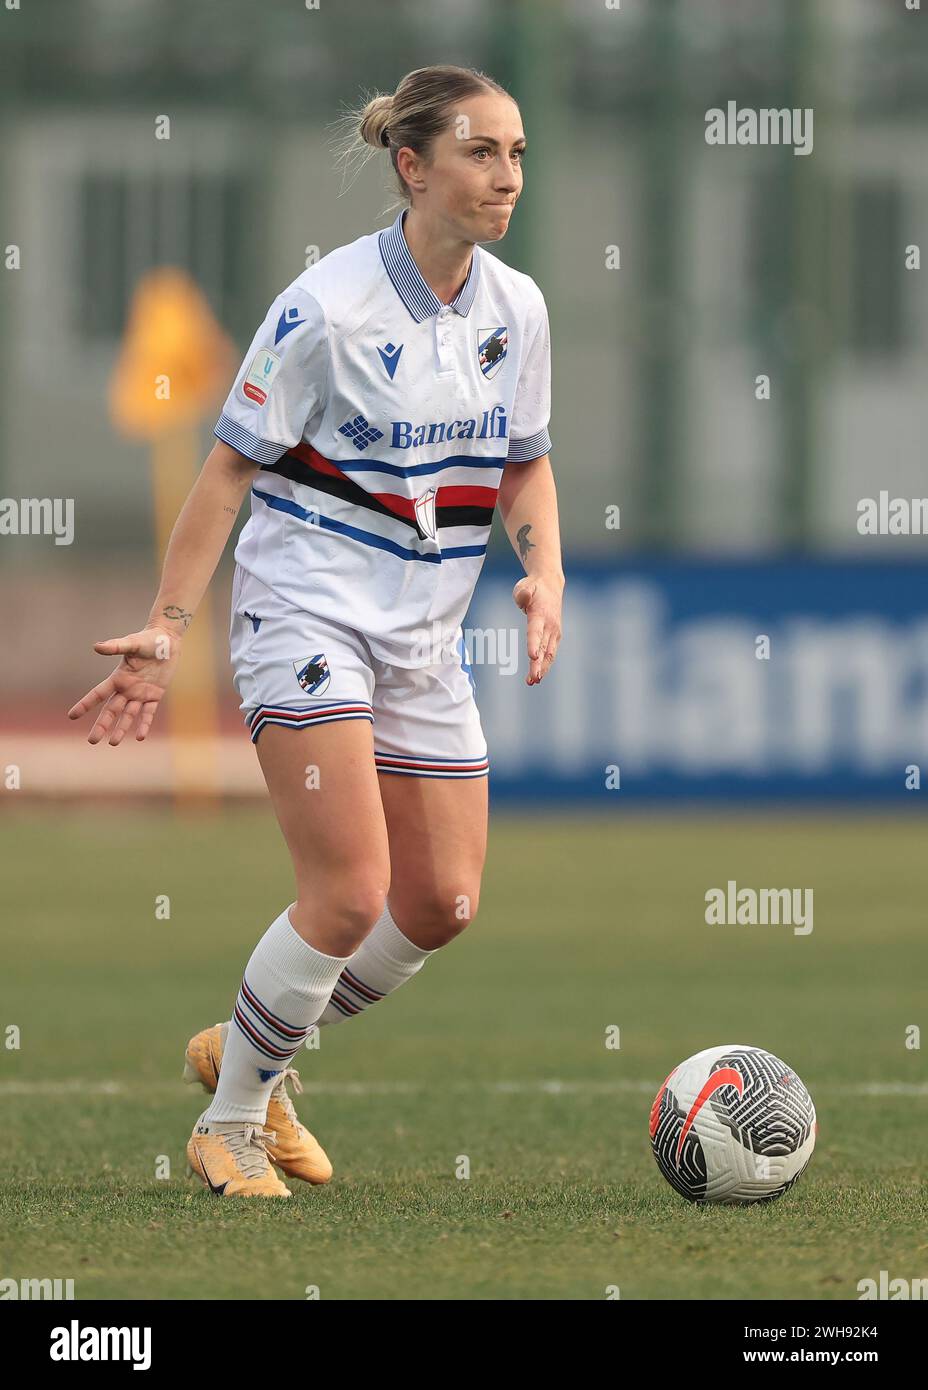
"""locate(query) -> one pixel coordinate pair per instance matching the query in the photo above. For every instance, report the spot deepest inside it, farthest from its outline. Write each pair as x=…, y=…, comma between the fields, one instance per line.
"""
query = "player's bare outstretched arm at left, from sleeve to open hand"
x=134, y=690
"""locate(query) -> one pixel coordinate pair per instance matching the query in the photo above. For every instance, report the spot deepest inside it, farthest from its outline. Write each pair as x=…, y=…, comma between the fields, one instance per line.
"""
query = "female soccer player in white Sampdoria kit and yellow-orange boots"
x=395, y=393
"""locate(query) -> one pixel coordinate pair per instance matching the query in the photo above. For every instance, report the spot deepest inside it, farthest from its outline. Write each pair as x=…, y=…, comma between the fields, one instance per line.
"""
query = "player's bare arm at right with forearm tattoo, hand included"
x=529, y=505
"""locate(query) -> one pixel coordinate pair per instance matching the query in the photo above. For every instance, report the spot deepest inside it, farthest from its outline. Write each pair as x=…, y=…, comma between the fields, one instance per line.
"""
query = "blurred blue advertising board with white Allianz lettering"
x=680, y=680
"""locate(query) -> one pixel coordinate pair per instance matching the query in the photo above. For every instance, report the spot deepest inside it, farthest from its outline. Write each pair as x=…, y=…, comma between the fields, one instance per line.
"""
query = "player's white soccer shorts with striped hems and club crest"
x=298, y=671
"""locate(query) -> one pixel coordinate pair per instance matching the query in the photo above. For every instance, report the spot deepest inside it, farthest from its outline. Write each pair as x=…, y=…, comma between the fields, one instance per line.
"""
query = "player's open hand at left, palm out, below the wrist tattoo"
x=135, y=687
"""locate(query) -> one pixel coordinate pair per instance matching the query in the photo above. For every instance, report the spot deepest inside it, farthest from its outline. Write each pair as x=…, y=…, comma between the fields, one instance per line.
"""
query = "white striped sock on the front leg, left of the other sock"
x=285, y=988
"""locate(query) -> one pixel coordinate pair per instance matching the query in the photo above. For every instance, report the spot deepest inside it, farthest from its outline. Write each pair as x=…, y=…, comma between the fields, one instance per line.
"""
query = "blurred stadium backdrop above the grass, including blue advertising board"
x=676, y=275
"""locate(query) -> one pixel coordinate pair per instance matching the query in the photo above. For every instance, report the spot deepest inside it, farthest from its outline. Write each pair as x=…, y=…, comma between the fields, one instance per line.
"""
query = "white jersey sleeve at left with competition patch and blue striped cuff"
x=281, y=384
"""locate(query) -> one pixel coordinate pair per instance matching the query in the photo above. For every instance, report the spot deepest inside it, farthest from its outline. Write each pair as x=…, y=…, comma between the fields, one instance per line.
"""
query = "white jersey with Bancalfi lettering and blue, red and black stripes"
x=383, y=422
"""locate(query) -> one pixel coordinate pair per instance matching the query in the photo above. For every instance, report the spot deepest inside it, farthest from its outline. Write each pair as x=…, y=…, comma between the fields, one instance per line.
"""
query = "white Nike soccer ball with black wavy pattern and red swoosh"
x=733, y=1125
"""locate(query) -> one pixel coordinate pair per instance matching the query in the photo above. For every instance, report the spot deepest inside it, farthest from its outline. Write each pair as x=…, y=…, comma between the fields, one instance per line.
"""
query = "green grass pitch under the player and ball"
x=586, y=924
